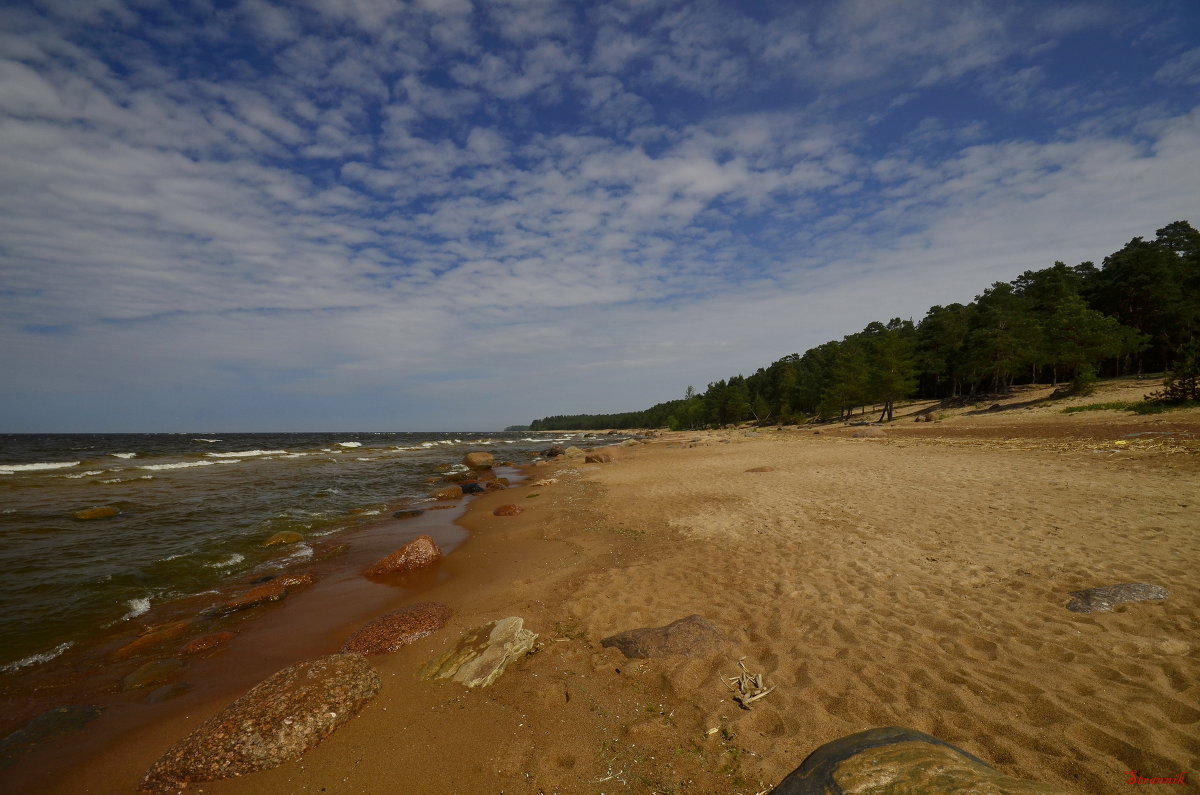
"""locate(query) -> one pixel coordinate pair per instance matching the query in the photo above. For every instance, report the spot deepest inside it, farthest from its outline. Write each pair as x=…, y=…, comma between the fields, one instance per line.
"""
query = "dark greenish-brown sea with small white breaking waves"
x=195, y=511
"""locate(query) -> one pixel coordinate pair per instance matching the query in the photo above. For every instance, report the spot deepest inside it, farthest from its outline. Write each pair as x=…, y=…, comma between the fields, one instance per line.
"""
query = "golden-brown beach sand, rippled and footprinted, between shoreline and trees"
x=919, y=581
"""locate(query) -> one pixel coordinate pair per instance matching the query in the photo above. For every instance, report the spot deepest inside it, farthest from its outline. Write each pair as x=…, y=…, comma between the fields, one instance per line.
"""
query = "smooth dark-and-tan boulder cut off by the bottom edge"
x=899, y=761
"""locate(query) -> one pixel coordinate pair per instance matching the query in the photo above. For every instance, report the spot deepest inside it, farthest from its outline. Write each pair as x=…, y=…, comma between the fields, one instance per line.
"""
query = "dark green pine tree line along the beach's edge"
x=1138, y=313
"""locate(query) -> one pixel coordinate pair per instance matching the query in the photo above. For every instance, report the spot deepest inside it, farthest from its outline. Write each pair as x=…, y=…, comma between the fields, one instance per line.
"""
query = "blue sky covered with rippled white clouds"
x=466, y=214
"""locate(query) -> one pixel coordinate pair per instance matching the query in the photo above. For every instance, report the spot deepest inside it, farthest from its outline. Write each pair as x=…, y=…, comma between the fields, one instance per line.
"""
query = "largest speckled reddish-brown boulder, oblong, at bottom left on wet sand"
x=277, y=721
